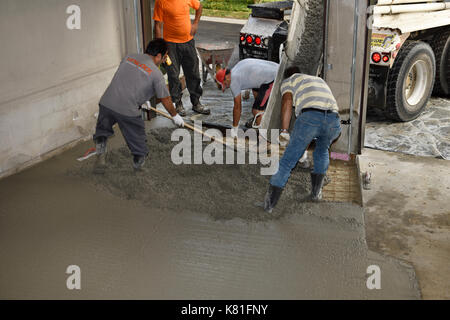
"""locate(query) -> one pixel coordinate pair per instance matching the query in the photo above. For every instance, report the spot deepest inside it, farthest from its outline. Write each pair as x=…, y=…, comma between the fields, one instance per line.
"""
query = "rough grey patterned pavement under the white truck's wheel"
x=428, y=135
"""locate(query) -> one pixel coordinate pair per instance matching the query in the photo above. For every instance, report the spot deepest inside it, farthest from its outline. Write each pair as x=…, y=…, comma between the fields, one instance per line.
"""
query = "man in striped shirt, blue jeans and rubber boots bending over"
x=317, y=118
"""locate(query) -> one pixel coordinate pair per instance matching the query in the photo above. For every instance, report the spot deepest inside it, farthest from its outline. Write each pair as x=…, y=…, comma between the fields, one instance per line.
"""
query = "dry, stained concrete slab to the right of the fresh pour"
x=407, y=214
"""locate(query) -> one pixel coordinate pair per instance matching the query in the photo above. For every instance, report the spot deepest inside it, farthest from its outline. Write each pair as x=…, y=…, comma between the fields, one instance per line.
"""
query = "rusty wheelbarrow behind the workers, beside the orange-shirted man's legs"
x=214, y=56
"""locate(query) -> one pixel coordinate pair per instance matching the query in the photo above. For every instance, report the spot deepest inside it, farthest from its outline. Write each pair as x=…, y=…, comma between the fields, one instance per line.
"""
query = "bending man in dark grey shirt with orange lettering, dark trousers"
x=136, y=81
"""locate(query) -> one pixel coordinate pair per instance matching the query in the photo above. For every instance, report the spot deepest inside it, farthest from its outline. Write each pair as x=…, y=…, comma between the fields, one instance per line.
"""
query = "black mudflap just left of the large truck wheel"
x=378, y=76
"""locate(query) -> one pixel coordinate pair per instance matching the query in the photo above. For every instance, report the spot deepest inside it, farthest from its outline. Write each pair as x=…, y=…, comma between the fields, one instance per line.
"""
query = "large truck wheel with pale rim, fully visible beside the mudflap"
x=410, y=81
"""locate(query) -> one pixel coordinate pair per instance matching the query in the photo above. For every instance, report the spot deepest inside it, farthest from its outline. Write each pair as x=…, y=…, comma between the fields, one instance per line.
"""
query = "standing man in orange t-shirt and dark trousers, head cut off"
x=172, y=17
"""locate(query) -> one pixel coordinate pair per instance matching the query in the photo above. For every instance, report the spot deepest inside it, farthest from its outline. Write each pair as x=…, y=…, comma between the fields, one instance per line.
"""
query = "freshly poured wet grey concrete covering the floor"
x=172, y=240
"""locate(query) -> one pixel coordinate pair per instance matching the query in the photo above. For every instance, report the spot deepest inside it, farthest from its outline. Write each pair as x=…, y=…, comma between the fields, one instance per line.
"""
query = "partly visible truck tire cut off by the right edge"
x=441, y=48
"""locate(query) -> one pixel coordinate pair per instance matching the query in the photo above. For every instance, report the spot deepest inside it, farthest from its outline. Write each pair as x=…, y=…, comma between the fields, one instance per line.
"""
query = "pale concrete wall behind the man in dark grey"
x=51, y=77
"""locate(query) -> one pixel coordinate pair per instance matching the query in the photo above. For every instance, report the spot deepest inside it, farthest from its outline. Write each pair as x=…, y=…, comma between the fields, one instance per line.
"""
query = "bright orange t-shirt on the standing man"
x=174, y=14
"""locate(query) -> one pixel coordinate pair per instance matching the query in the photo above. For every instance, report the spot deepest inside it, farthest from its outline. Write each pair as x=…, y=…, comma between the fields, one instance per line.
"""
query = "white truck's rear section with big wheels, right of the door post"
x=410, y=55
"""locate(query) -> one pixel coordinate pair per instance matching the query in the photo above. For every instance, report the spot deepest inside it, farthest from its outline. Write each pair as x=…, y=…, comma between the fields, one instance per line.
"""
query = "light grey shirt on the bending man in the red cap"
x=252, y=74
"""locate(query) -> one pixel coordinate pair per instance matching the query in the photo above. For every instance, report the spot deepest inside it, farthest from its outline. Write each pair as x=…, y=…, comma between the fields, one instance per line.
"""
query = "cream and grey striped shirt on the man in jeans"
x=309, y=92
